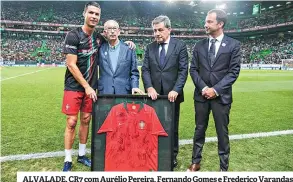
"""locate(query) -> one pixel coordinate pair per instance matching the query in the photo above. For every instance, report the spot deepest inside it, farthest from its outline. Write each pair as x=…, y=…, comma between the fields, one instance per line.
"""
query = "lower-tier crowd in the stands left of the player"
x=31, y=47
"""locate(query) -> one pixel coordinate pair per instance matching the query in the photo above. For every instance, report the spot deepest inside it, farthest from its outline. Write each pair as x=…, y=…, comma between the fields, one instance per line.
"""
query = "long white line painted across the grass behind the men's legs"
x=181, y=142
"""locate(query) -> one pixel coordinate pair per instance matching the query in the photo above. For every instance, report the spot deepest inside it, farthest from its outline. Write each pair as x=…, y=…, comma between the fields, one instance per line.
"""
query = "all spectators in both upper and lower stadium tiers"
x=37, y=47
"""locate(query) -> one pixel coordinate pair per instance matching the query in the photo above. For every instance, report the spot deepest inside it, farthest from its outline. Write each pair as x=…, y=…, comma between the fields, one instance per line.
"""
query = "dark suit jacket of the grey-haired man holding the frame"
x=172, y=75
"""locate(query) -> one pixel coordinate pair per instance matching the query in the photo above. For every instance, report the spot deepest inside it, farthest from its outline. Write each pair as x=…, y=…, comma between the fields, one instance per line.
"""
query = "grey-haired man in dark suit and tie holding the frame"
x=165, y=69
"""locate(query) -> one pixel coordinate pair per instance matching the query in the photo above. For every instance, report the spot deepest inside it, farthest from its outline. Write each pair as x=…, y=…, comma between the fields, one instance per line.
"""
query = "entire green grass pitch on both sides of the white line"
x=32, y=122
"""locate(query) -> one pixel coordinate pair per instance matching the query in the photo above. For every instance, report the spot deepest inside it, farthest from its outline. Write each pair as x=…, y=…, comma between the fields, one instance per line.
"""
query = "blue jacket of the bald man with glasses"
x=126, y=75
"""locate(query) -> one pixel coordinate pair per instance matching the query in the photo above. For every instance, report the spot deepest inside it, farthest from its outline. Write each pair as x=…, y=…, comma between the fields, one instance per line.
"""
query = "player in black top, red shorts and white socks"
x=81, y=47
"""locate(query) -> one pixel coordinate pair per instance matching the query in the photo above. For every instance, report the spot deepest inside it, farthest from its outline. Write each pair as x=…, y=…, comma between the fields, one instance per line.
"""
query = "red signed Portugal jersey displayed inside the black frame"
x=132, y=138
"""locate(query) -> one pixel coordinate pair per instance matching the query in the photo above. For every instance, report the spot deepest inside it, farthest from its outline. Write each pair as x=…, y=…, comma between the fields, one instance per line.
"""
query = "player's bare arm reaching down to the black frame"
x=71, y=61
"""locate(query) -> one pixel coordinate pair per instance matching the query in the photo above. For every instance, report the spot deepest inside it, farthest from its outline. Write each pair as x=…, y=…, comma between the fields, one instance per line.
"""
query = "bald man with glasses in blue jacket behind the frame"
x=118, y=73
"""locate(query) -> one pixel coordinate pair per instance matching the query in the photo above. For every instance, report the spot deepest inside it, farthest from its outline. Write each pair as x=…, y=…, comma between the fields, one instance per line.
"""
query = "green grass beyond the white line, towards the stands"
x=32, y=120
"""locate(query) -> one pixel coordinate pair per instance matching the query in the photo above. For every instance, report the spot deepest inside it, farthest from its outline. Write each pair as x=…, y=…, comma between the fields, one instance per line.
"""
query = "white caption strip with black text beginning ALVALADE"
x=154, y=177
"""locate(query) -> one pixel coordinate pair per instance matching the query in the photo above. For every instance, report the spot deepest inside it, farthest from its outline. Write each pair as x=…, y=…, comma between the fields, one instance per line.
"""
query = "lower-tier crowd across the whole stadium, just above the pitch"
x=48, y=48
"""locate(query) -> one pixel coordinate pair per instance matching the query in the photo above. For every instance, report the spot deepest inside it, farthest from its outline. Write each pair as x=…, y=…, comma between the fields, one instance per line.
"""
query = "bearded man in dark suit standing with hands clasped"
x=214, y=68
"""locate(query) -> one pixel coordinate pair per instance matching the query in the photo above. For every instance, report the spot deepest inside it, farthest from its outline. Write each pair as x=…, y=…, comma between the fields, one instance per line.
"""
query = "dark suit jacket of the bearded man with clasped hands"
x=221, y=75
